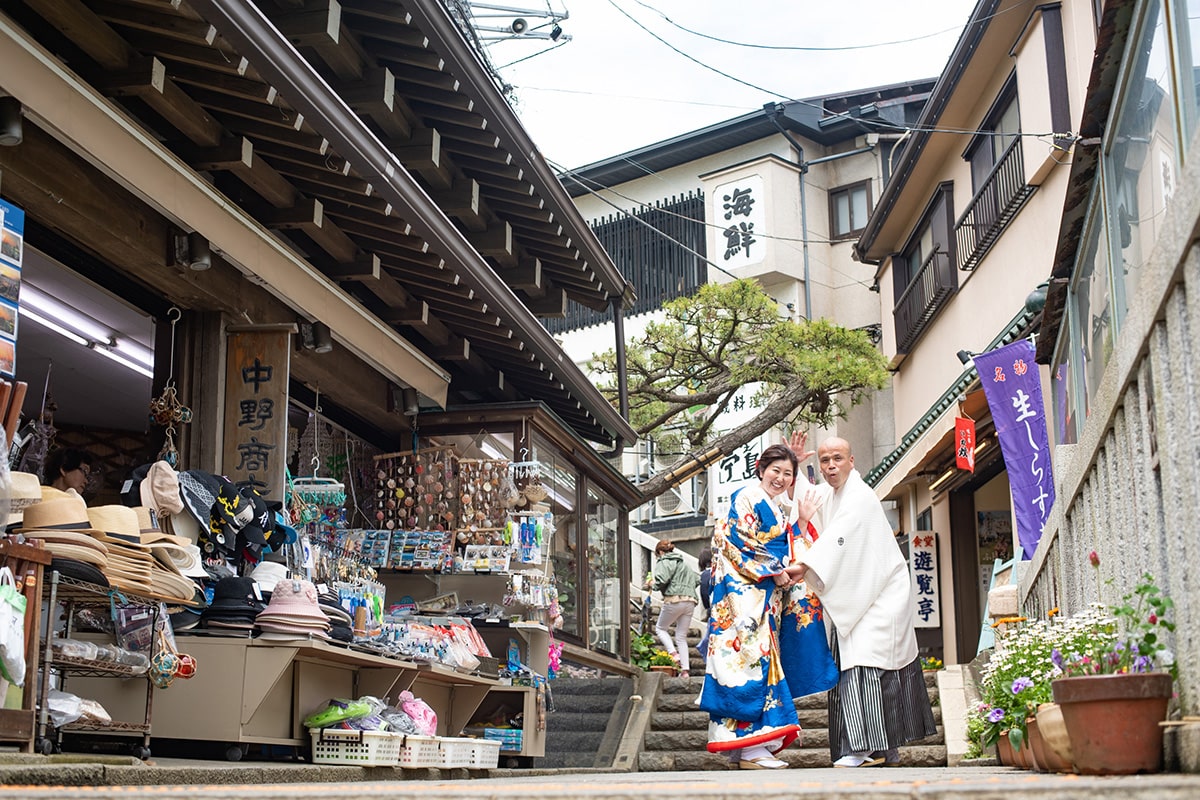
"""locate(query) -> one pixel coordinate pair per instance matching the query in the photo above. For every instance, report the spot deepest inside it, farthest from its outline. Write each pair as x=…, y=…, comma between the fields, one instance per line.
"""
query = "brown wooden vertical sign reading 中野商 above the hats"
x=256, y=414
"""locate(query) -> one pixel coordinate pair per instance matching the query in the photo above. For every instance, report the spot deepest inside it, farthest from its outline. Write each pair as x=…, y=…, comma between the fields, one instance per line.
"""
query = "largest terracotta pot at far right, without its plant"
x=1113, y=721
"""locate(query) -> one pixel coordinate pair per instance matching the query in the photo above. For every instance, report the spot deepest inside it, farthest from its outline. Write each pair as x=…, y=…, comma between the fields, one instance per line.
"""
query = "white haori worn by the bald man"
x=862, y=579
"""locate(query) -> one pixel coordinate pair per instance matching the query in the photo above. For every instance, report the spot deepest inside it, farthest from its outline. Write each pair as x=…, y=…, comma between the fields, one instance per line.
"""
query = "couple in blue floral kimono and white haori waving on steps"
x=787, y=557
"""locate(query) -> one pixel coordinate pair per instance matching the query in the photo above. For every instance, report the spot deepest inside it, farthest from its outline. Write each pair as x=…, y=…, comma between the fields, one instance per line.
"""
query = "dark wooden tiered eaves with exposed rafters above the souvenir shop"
x=373, y=146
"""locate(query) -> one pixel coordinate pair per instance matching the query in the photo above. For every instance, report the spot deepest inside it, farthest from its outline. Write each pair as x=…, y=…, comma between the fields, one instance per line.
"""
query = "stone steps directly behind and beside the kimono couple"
x=680, y=731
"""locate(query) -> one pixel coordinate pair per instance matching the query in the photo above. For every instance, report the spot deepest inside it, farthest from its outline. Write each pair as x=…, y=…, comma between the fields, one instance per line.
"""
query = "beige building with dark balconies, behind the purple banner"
x=961, y=238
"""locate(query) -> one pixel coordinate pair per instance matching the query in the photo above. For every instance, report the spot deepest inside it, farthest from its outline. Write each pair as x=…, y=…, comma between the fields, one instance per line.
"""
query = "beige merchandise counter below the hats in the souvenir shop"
x=251, y=691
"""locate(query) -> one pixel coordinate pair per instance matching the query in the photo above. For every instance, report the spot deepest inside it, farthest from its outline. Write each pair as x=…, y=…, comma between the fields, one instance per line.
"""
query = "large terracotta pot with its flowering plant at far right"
x=1114, y=693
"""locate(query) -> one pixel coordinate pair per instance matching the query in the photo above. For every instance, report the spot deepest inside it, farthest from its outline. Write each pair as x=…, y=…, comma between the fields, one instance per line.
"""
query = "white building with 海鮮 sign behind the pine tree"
x=777, y=196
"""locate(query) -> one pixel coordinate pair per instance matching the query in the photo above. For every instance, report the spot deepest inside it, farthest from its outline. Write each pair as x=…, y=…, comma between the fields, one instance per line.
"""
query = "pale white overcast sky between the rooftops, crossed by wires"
x=615, y=87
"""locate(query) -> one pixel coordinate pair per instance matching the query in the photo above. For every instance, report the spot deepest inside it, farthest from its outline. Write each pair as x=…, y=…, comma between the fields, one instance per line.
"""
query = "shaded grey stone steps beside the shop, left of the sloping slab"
x=587, y=723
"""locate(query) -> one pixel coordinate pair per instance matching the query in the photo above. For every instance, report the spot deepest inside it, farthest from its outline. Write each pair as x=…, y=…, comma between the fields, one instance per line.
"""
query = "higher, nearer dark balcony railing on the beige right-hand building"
x=1003, y=195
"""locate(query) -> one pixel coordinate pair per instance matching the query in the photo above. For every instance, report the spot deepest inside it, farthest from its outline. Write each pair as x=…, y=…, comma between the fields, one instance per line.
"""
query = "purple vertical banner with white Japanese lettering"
x=1013, y=388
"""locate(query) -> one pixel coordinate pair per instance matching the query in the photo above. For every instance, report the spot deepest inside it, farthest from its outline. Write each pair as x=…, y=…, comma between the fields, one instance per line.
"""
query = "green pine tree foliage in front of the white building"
x=685, y=371
